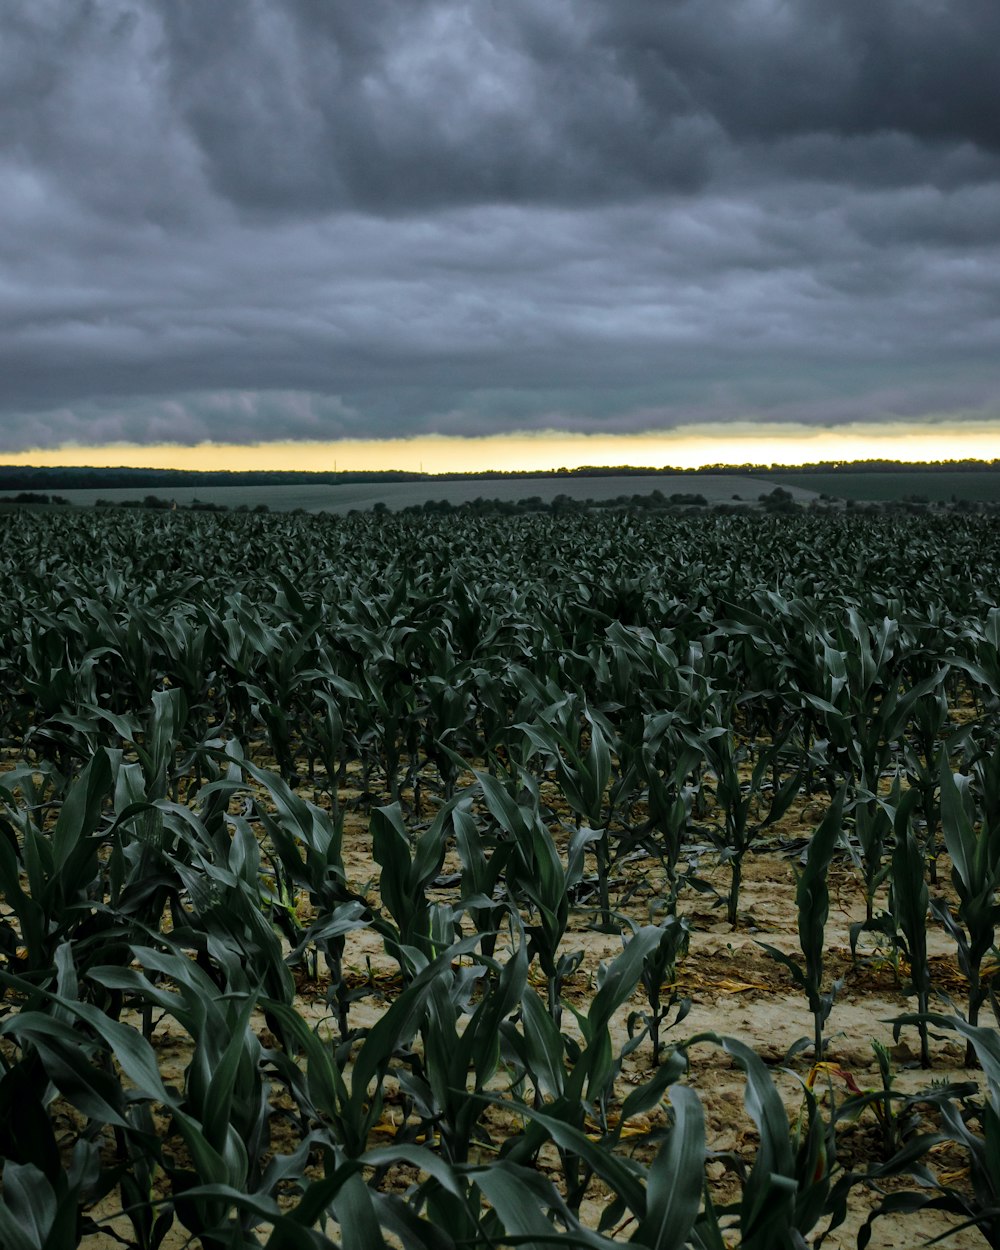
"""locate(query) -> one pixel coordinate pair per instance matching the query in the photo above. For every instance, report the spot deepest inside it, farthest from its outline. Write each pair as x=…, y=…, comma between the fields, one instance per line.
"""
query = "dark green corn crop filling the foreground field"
x=516, y=709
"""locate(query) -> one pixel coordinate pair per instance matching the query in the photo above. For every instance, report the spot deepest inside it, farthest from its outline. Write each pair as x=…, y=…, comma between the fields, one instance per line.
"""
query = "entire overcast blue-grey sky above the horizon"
x=306, y=221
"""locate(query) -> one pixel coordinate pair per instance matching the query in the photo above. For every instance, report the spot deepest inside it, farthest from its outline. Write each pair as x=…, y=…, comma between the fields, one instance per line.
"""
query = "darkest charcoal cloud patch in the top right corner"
x=768, y=69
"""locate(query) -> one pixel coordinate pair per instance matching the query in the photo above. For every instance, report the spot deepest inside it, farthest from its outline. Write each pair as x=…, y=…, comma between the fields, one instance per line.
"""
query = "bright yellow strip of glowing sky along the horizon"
x=684, y=448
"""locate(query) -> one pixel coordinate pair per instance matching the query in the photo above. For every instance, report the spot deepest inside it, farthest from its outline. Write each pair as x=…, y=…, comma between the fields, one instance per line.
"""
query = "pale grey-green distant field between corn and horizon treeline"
x=364, y=496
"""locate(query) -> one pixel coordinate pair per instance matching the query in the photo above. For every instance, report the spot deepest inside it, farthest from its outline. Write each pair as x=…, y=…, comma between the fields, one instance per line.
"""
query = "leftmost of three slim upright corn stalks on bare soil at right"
x=813, y=903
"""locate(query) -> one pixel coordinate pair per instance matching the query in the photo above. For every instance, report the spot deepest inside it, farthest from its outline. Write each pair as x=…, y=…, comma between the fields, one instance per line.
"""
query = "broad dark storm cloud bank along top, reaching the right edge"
x=403, y=103
